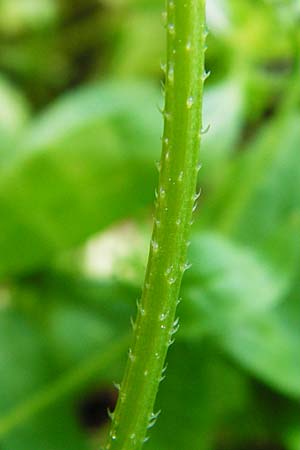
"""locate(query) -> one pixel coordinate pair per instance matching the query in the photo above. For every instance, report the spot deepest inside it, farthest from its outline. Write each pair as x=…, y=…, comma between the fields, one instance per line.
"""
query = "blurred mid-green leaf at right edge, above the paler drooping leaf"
x=260, y=205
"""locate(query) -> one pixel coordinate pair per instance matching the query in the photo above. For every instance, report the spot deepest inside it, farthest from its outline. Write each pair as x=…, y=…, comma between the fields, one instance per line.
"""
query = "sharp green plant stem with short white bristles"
x=176, y=198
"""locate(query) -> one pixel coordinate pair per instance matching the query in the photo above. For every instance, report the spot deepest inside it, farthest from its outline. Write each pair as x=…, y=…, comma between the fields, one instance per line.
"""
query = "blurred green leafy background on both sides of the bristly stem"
x=79, y=134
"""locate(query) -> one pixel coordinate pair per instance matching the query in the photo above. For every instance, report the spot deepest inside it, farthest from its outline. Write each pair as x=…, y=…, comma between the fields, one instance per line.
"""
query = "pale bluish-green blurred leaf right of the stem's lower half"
x=241, y=301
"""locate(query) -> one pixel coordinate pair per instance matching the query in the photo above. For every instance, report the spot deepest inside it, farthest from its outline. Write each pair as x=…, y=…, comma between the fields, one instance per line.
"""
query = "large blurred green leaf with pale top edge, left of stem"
x=83, y=165
